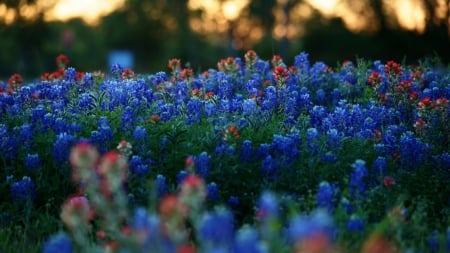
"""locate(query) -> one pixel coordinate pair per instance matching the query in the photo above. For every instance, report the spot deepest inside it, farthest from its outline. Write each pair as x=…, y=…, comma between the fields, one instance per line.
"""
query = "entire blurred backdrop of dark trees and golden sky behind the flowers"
x=145, y=34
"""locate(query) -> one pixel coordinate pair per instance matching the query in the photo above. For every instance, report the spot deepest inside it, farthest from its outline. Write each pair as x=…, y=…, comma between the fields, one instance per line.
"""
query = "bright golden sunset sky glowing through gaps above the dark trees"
x=217, y=17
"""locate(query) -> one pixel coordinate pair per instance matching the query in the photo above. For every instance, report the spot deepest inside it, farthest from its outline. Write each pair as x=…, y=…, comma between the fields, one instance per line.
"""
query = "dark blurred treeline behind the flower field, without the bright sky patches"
x=155, y=31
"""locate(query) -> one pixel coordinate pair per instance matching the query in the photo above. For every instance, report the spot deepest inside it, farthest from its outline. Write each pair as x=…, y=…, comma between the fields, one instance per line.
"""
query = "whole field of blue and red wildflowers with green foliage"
x=252, y=156
